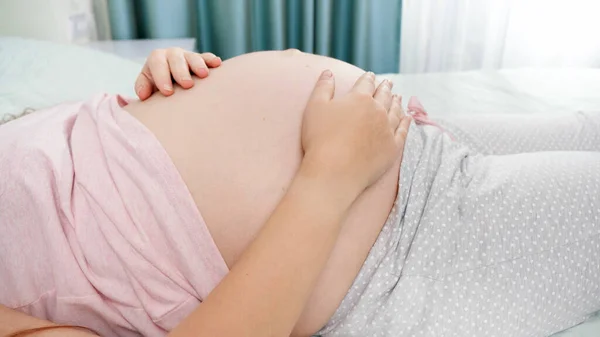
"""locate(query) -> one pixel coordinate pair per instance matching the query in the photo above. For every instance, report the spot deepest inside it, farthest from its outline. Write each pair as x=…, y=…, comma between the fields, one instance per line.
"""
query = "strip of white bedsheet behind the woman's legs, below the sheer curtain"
x=504, y=91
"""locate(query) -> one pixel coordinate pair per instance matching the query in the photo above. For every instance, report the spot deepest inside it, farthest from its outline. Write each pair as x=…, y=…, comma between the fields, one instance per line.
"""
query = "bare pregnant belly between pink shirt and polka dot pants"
x=235, y=138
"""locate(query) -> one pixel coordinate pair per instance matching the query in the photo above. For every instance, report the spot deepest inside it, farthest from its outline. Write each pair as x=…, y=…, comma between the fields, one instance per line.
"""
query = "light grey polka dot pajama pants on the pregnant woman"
x=484, y=240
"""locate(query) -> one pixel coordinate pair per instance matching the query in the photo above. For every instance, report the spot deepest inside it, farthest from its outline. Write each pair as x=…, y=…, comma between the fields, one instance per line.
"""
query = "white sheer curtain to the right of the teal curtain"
x=453, y=35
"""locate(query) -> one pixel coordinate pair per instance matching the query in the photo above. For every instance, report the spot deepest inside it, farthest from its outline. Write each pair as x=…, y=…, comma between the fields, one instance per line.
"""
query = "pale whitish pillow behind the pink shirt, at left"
x=37, y=74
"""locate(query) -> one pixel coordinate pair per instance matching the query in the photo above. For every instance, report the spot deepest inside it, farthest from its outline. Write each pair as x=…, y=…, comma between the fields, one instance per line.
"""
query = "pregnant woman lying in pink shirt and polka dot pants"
x=124, y=217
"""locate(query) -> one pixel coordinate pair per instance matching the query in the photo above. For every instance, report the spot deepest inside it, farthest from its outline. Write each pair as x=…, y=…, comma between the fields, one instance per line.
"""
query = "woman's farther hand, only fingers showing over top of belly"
x=164, y=63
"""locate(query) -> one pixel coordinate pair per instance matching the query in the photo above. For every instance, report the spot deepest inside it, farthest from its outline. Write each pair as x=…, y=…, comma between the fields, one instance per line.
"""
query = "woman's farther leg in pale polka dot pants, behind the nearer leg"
x=508, y=134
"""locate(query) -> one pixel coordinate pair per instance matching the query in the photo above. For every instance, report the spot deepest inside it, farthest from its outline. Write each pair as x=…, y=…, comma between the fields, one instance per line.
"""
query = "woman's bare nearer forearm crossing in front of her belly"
x=264, y=293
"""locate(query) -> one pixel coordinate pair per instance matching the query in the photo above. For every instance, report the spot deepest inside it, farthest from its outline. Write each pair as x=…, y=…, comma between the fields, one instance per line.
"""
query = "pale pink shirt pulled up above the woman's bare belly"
x=97, y=228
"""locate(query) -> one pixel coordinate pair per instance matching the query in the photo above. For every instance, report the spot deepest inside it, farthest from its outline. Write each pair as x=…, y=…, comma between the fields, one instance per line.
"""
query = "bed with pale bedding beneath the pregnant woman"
x=36, y=74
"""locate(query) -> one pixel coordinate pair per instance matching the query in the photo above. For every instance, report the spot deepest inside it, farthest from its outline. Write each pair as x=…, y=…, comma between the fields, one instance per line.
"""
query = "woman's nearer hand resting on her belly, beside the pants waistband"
x=355, y=138
